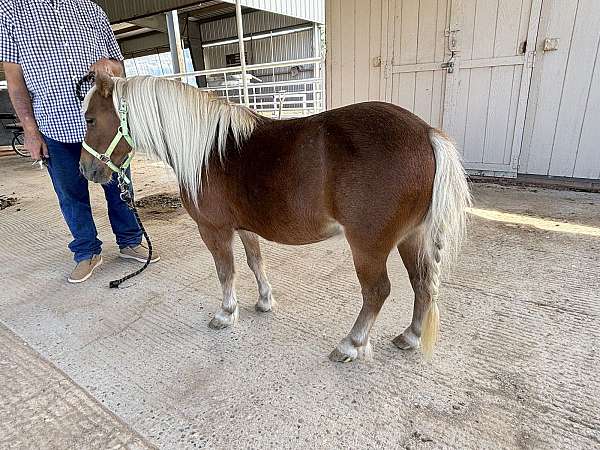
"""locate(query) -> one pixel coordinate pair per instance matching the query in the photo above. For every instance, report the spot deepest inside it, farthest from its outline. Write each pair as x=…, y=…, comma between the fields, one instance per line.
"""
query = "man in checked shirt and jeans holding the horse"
x=46, y=47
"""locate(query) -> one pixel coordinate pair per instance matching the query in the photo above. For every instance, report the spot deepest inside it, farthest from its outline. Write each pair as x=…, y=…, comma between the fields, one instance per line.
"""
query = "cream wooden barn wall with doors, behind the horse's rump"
x=515, y=82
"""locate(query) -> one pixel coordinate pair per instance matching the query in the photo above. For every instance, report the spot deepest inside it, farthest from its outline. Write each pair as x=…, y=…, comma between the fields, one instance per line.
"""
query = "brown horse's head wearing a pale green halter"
x=104, y=149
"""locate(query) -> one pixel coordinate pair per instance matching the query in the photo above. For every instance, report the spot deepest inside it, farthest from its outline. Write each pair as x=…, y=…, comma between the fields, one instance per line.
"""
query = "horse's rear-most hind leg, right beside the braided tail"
x=424, y=286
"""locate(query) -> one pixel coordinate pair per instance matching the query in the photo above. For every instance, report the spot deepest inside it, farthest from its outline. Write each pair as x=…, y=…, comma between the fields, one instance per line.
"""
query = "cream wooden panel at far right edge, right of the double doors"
x=563, y=116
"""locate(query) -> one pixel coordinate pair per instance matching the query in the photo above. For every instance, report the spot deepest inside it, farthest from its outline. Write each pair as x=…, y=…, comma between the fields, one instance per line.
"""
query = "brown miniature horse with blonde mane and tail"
x=372, y=171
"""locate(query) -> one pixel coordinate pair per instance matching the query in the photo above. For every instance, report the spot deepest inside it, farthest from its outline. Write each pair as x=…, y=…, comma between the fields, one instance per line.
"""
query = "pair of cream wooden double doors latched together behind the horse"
x=465, y=65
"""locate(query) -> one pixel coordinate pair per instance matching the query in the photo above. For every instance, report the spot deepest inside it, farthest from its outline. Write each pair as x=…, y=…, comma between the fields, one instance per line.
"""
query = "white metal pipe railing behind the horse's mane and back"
x=289, y=98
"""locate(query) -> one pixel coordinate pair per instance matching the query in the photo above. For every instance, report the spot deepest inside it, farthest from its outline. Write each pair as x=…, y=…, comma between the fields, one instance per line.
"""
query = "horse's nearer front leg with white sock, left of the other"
x=220, y=244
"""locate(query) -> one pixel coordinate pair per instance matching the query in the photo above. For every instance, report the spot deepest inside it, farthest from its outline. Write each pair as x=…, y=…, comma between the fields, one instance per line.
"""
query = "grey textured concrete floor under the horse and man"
x=517, y=366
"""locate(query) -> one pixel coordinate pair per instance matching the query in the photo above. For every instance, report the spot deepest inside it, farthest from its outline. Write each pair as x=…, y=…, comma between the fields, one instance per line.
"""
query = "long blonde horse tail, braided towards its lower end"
x=444, y=226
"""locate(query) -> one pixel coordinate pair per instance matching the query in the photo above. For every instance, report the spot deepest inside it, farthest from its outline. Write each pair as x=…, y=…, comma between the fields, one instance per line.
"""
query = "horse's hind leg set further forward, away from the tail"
x=372, y=273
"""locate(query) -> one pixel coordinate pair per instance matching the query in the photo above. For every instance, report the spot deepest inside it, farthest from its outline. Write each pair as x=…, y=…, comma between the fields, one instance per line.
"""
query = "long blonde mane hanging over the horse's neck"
x=181, y=125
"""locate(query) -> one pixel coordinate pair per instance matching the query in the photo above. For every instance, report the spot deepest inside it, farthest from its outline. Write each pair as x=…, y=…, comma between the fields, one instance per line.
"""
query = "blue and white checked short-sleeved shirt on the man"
x=55, y=42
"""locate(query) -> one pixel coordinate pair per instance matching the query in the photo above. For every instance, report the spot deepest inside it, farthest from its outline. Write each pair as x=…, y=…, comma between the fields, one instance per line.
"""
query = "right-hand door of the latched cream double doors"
x=490, y=85
